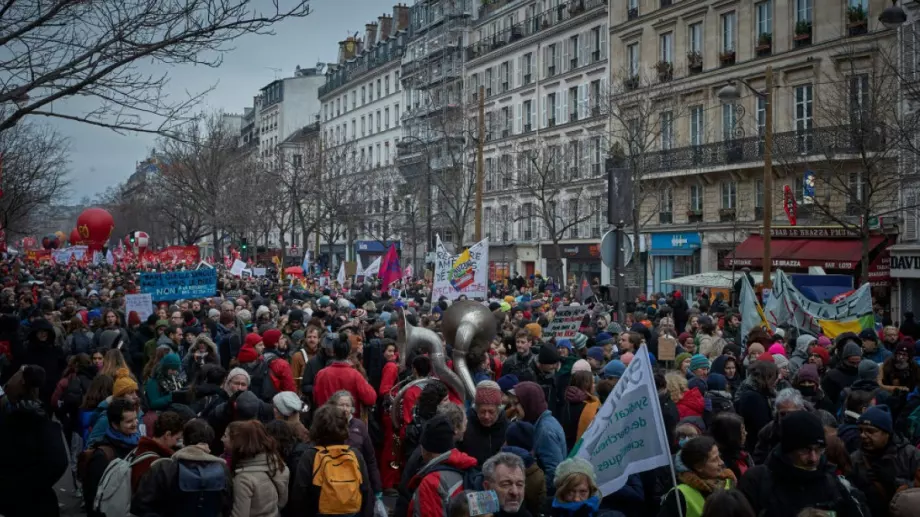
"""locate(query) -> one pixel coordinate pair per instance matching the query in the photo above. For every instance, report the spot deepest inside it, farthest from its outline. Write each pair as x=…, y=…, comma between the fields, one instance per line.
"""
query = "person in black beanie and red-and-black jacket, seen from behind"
x=445, y=472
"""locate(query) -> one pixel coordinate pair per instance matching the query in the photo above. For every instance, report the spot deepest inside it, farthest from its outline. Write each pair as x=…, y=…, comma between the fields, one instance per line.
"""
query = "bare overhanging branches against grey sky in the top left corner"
x=52, y=51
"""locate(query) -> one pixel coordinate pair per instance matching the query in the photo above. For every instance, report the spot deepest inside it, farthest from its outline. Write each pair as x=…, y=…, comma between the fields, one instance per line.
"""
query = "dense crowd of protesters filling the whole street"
x=274, y=398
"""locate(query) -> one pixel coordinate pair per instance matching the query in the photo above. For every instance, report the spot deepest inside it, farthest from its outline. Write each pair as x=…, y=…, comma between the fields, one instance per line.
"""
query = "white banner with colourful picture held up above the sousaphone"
x=463, y=274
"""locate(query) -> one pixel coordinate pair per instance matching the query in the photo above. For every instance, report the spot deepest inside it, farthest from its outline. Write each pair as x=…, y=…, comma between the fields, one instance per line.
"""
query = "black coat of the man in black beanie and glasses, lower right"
x=779, y=489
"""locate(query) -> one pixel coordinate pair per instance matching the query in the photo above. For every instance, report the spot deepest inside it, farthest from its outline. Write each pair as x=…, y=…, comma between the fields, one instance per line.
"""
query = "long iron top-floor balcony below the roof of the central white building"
x=533, y=25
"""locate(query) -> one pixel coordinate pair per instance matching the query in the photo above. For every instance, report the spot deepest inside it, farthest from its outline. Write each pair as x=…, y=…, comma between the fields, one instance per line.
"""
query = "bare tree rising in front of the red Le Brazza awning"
x=852, y=145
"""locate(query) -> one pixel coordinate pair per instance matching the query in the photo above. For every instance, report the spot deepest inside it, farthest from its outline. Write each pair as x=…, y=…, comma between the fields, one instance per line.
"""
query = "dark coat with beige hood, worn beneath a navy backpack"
x=158, y=493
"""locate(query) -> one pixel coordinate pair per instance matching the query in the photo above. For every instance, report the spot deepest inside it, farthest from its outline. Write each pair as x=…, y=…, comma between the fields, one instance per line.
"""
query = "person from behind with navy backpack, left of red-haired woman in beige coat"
x=191, y=483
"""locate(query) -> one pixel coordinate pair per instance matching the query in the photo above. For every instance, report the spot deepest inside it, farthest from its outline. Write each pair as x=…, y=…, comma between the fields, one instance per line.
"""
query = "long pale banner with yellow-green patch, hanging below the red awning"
x=788, y=305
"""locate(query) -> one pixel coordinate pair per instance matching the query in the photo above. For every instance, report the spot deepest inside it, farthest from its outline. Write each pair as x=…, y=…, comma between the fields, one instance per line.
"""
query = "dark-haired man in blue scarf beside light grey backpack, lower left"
x=106, y=472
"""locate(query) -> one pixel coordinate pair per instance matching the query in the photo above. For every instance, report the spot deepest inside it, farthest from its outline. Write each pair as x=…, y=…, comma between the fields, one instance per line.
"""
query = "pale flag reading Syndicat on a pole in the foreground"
x=627, y=436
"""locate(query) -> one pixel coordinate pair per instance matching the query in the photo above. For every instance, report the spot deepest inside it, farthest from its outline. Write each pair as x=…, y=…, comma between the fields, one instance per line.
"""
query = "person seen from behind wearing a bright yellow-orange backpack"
x=331, y=477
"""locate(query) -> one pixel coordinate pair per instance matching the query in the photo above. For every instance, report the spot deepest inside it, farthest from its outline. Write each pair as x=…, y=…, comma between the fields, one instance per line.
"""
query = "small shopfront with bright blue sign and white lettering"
x=673, y=255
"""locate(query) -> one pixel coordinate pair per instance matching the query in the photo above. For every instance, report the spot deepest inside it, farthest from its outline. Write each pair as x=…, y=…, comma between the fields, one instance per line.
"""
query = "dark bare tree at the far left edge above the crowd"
x=35, y=169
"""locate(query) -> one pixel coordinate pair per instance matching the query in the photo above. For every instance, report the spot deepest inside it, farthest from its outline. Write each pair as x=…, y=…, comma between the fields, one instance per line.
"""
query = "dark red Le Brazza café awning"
x=837, y=251
